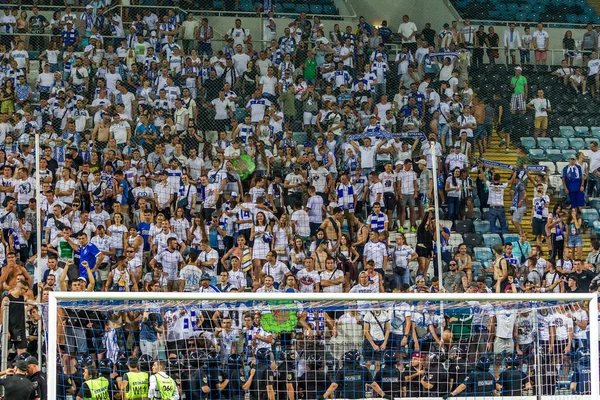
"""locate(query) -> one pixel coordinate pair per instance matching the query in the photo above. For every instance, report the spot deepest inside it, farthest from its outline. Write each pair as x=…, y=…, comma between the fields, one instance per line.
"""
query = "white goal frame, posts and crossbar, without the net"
x=184, y=299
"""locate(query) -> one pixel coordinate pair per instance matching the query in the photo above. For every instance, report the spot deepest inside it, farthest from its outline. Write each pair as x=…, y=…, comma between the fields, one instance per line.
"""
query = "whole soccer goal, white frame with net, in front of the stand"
x=298, y=346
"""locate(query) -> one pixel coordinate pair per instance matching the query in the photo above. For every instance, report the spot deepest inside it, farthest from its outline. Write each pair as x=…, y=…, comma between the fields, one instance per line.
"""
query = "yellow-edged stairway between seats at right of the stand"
x=497, y=153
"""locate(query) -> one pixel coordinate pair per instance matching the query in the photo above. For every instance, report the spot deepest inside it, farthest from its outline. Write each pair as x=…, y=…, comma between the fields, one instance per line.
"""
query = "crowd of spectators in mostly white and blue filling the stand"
x=144, y=189
